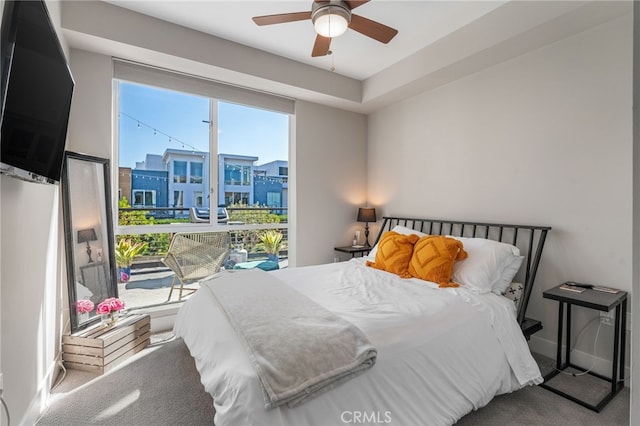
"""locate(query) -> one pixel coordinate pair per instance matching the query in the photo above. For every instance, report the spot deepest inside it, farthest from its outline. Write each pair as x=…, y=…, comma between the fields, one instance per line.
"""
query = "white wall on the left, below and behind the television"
x=31, y=283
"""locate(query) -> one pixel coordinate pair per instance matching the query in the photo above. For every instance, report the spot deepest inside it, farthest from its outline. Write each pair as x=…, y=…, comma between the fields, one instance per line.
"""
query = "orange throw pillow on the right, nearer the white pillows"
x=433, y=259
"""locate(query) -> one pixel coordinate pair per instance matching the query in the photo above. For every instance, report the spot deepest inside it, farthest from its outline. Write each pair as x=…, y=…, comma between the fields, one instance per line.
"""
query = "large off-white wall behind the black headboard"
x=544, y=139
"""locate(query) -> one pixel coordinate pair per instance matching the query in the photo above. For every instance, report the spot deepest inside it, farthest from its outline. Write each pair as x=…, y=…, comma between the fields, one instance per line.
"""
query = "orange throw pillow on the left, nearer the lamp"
x=394, y=253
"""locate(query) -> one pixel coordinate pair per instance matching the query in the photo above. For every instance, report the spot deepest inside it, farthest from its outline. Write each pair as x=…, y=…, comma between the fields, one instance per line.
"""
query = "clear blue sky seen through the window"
x=153, y=120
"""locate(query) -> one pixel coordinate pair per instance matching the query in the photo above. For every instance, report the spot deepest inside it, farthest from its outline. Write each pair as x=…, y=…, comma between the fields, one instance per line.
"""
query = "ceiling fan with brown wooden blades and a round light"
x=331, y=18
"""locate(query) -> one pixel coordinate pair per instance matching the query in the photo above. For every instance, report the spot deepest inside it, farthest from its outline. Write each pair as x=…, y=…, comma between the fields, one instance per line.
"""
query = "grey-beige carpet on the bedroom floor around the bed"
x=160, y=386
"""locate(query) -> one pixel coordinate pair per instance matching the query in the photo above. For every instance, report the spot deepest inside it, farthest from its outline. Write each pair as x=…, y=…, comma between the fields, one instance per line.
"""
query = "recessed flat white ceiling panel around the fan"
x=419, y=23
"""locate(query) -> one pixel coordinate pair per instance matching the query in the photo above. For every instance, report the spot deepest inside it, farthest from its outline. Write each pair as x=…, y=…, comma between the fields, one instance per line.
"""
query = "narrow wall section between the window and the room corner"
x=329, y=169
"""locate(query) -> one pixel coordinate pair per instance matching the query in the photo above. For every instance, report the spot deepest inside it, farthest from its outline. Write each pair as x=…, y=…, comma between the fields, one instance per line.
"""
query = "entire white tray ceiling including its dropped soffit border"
x=438, y=42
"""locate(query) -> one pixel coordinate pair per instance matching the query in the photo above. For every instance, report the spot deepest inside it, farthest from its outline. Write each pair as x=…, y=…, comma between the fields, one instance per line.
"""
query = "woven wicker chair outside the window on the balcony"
x=193, y=256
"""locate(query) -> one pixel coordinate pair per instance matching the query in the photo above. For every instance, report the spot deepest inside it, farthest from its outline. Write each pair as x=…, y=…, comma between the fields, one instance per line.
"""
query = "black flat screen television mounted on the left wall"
x=36, y=89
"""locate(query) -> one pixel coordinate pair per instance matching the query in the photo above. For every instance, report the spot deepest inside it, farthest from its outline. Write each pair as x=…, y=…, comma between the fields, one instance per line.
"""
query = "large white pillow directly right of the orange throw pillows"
x=490, y=265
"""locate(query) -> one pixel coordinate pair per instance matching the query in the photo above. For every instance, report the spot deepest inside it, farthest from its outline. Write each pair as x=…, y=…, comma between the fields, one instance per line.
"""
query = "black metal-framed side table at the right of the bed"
x=601, y=301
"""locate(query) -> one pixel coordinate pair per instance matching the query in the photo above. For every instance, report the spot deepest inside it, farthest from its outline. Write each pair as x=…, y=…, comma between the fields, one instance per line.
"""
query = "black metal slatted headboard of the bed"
x=528, y=238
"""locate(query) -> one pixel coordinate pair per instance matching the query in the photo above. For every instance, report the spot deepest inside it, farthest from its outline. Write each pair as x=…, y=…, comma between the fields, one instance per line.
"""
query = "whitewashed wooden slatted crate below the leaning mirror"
x=98, y=348
